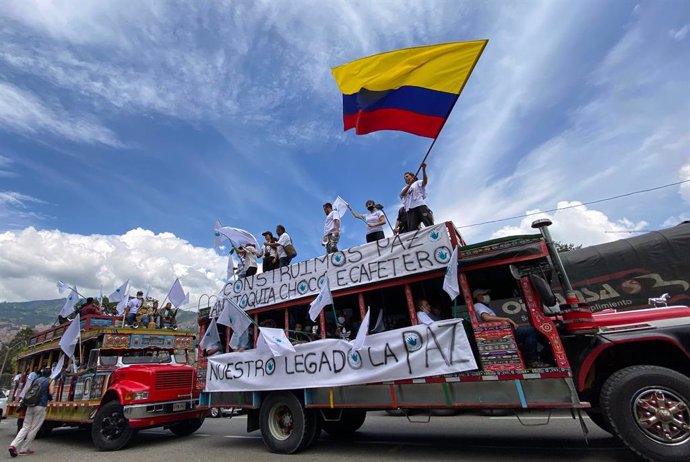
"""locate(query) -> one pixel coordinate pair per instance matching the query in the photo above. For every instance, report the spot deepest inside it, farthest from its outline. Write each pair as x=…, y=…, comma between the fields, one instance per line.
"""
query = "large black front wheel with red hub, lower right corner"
x=648, y=408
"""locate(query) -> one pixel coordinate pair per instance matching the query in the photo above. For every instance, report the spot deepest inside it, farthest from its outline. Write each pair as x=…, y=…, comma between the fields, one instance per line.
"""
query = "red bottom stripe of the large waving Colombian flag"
x=394, y=119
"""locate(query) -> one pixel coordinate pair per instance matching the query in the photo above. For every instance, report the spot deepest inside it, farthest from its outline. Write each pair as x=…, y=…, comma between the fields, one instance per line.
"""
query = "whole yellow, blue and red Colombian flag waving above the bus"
x=412, y=90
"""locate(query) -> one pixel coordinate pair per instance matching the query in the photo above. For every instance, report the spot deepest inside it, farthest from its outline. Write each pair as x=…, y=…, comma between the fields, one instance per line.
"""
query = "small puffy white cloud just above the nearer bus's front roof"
x=578, y=225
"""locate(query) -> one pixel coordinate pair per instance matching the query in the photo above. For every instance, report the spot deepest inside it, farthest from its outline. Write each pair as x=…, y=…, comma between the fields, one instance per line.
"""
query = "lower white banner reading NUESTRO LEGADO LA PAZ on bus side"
x=411, y=352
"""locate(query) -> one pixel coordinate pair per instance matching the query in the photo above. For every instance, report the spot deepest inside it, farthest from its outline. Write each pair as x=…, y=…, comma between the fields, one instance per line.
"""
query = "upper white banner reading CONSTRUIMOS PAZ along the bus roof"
x=414, y=252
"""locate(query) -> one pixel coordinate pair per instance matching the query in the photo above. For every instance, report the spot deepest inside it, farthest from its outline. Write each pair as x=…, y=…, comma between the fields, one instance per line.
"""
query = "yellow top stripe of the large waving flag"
x=443, y=67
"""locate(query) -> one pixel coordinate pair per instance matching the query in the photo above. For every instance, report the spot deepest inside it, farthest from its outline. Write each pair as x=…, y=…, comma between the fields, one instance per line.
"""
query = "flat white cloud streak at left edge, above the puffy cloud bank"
x=23, y=112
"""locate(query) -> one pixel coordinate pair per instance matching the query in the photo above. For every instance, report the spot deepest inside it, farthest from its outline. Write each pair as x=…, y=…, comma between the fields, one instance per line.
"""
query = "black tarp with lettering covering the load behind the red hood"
x=624, y=274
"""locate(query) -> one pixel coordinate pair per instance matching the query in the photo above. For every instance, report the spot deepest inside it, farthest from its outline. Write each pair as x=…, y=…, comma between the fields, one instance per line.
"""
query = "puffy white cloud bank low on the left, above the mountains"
x=31, y=261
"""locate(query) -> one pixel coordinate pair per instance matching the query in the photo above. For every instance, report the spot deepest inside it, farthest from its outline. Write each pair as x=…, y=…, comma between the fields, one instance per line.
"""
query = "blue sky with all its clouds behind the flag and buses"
x=125, y=132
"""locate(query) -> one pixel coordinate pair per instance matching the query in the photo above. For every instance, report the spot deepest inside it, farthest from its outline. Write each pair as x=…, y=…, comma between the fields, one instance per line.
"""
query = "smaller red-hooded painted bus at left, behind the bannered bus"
x=133, y=379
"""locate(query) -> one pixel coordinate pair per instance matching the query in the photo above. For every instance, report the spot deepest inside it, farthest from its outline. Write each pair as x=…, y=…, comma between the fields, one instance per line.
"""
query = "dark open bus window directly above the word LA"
x=393, y=302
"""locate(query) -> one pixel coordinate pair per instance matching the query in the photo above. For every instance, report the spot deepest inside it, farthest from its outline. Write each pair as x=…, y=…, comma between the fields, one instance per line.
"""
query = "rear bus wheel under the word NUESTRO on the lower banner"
x=283, y=422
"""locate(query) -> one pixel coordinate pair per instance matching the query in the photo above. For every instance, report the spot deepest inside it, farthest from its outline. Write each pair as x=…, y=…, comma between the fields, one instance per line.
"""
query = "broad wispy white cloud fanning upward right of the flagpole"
x=501, y=154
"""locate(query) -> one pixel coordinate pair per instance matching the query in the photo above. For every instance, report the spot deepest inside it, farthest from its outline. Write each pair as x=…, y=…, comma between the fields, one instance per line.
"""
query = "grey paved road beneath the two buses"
x=382, y=437
